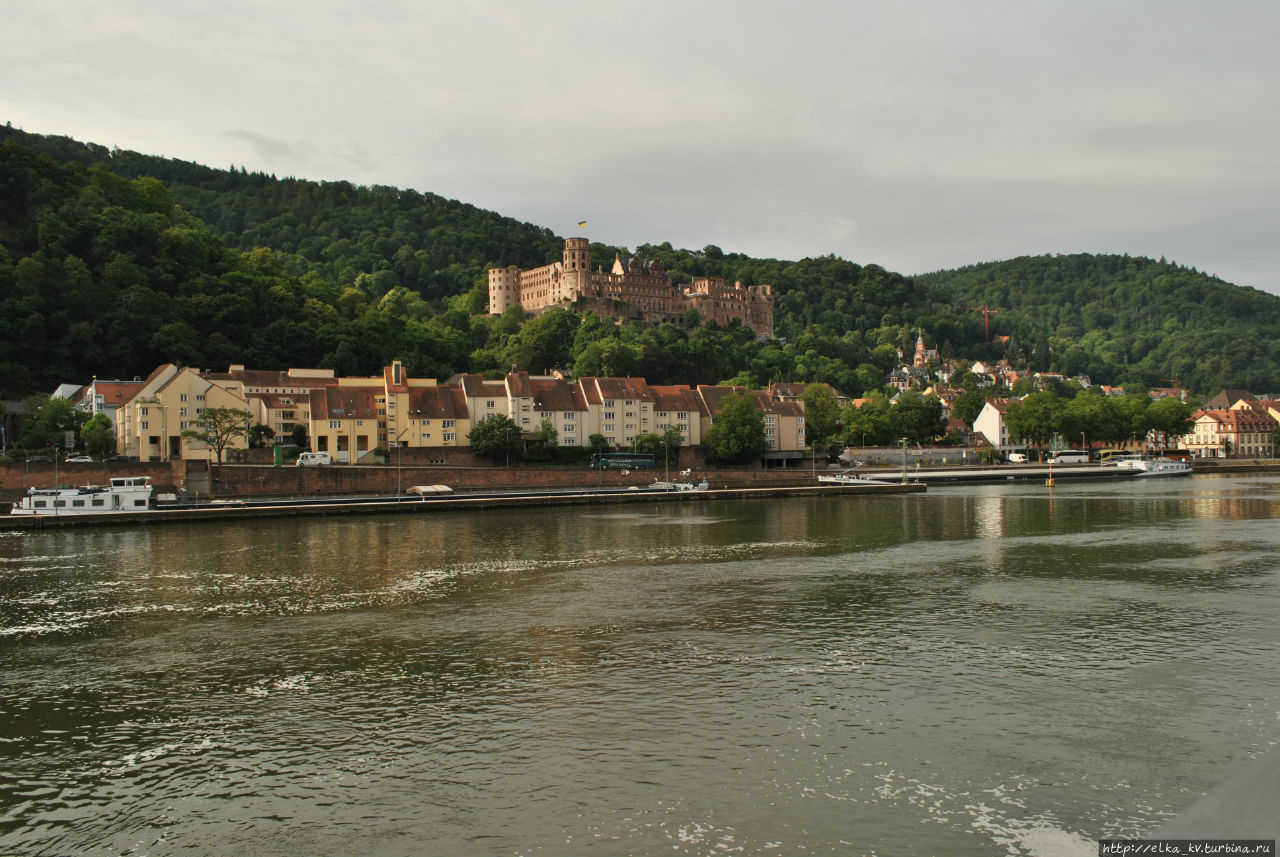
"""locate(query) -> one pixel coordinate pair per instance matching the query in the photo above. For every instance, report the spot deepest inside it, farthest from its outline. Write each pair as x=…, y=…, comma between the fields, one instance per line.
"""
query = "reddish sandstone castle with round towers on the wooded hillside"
x=632, y=290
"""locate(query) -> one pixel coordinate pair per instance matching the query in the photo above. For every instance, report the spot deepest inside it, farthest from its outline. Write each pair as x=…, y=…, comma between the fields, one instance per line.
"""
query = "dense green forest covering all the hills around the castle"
x=113, y=262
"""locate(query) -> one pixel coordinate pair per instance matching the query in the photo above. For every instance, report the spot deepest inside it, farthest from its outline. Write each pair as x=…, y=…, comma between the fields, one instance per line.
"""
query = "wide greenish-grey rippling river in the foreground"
x=972, y=671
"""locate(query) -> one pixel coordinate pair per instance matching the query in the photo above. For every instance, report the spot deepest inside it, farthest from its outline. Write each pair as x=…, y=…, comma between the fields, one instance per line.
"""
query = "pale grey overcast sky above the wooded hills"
x=917, y=136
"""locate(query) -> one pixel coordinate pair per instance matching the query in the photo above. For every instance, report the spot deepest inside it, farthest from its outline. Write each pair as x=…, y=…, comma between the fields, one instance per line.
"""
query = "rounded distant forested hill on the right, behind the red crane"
x=1149, y=320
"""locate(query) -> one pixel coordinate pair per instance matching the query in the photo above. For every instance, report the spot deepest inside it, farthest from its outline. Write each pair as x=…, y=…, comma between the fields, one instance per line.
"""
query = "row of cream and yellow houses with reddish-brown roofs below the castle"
x=354, y=418
